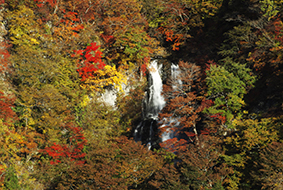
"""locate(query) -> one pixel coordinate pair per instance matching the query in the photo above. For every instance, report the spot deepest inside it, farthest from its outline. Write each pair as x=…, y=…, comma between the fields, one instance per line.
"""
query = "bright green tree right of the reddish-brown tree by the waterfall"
x=226, y=86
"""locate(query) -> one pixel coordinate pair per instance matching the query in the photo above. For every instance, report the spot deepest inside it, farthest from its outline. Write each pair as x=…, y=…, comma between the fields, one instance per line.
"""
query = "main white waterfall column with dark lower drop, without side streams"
x=147, y=130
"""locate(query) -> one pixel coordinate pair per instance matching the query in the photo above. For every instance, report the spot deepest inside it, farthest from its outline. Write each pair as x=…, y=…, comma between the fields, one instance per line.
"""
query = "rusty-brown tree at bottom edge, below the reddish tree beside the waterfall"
x=202, y=166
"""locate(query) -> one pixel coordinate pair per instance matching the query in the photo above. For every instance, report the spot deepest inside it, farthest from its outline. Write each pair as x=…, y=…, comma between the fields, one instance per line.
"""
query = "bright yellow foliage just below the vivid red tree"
x=107, y=77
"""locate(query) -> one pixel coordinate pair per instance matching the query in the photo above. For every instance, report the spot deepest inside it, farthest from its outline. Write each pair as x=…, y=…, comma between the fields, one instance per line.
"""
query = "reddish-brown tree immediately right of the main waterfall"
x=184, y=96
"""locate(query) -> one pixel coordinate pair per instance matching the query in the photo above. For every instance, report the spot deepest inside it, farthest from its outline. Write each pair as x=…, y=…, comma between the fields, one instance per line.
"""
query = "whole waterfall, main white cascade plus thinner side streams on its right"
x=153, y=103
